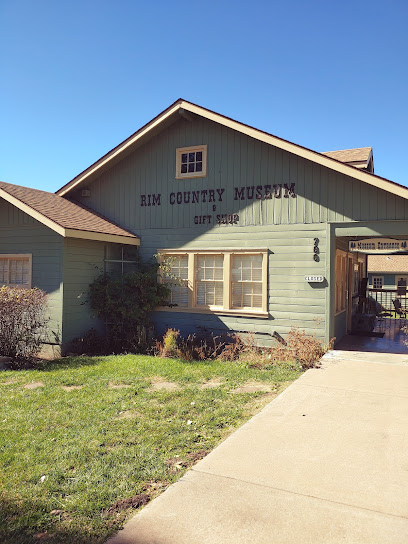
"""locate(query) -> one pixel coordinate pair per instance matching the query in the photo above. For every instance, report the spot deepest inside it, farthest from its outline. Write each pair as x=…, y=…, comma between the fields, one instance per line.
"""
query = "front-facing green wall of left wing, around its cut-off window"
x=19, y=233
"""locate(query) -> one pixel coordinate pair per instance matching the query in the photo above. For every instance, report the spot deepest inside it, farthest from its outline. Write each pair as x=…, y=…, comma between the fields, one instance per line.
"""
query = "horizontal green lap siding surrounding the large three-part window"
x=292, y=302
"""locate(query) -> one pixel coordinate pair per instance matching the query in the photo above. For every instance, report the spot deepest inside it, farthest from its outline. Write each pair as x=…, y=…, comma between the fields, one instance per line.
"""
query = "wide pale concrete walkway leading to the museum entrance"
x=325, y=462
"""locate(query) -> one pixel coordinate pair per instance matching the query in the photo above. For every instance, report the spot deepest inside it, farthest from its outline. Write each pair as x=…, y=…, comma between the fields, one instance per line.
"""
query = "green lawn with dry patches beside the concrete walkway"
x=95, y=441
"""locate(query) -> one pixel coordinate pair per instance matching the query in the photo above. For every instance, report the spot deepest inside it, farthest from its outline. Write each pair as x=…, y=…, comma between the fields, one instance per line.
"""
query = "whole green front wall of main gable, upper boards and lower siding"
x=240, y=169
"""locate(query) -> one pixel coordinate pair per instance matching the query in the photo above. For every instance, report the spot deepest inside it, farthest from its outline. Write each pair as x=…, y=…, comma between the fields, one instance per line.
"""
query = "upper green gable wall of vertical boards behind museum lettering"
x=234, y=161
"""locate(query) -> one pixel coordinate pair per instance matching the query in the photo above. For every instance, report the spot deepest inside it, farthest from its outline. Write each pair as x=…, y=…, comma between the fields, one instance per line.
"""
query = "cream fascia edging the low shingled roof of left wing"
x=68, y=233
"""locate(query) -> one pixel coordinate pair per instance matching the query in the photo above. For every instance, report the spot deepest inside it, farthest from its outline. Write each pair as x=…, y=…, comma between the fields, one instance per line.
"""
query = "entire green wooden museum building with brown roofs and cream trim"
x=262, y=231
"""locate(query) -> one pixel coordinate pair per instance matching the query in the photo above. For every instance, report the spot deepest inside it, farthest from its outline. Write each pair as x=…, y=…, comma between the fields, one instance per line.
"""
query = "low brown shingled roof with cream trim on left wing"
x=65, y=217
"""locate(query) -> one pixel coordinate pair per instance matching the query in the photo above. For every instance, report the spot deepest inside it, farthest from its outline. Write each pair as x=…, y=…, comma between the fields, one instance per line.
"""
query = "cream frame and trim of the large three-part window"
x=227, y=307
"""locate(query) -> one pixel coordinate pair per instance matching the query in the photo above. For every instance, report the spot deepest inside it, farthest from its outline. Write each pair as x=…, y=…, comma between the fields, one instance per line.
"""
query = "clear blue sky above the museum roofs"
x=78, y=77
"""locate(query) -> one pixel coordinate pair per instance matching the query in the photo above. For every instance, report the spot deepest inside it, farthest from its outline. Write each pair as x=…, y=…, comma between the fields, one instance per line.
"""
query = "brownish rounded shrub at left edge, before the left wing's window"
x=23, y=321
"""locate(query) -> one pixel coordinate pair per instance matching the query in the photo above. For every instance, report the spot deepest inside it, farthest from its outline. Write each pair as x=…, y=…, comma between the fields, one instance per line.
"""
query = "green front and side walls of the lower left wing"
x=63, y=267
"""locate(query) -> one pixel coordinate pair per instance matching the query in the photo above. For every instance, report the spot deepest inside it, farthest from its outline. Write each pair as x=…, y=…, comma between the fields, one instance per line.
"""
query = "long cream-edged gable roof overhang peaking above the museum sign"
x=185, y=109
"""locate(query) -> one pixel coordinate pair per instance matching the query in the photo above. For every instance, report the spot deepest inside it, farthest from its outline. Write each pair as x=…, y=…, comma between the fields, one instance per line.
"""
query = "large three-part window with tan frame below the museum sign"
x=230, y=281
